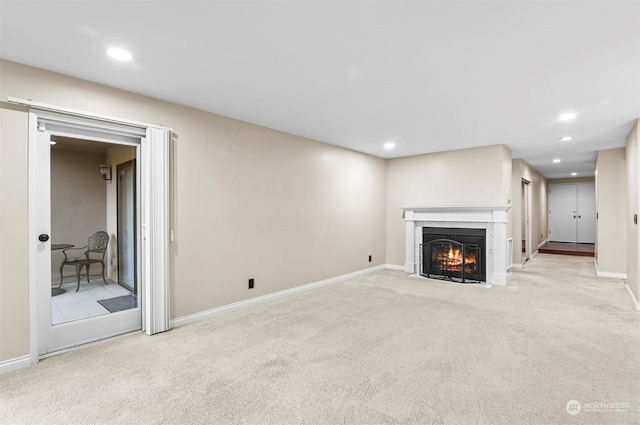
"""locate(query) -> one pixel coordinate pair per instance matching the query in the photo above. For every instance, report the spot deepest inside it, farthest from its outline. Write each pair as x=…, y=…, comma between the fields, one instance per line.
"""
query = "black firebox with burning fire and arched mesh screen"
x=455, y=254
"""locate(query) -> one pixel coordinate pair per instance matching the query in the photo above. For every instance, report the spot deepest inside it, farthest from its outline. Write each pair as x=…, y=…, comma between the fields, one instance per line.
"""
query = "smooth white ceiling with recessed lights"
x=431, y=75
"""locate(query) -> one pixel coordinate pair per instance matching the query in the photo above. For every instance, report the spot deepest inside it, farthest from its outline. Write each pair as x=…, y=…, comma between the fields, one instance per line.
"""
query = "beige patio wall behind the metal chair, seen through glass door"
x=78, y=200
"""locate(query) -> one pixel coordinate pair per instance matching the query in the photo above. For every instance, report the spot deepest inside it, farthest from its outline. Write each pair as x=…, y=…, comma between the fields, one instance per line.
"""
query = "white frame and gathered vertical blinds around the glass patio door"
x=154, y=206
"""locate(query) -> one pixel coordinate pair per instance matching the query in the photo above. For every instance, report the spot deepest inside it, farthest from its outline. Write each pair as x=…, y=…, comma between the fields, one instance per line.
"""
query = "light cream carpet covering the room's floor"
x=380, y=349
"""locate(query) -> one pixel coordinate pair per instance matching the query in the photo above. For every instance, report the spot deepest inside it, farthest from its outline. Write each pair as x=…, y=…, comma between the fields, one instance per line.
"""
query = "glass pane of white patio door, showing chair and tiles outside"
x=90, y=206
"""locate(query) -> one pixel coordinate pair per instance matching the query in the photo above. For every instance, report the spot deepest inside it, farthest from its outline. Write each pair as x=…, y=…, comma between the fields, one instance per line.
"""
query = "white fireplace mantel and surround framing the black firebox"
x=493, y=218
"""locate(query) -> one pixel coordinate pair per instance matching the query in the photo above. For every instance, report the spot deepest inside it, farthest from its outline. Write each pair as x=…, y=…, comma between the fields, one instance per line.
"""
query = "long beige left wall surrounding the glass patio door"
x=249, y=202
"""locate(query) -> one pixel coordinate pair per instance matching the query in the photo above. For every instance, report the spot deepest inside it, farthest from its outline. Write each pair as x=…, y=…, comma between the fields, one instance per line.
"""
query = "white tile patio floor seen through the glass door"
x=83, y=304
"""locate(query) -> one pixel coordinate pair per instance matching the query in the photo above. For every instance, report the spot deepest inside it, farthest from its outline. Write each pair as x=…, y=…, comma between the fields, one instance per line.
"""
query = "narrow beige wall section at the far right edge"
x=633, y=207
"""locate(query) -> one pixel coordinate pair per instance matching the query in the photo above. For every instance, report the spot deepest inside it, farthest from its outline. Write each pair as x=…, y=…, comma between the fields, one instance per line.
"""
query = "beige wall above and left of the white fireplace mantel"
x=478, y=176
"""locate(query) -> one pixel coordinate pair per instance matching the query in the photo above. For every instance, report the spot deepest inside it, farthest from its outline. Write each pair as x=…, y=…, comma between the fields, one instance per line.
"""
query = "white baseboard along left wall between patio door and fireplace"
x=181, y=321
